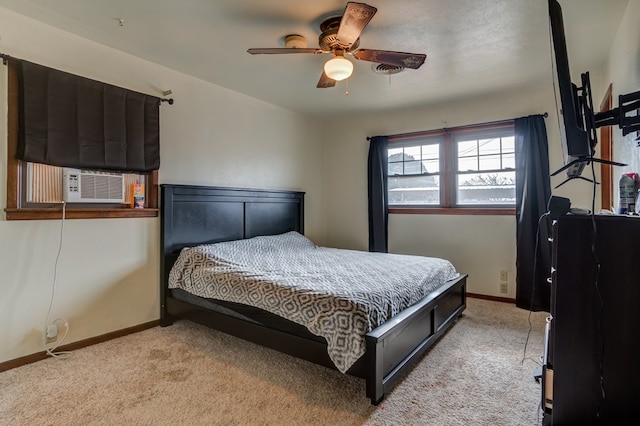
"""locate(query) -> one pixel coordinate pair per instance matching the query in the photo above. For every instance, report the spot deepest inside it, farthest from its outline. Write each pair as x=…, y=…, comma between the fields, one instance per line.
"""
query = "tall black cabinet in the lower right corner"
x=592, y=373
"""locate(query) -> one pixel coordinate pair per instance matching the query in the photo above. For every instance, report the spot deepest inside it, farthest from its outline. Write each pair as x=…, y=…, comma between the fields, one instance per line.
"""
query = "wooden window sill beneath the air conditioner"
x=77, y=213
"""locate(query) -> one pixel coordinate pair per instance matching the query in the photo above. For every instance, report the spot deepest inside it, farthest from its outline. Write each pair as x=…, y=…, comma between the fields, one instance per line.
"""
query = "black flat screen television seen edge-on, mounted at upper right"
x=578, y=135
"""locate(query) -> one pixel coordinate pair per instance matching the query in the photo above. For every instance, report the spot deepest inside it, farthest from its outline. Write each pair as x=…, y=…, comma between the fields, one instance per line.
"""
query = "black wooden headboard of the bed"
x=193, y=215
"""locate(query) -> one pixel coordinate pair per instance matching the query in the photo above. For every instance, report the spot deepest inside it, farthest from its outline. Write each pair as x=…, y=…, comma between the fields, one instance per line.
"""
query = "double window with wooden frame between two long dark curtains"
x=463, y=170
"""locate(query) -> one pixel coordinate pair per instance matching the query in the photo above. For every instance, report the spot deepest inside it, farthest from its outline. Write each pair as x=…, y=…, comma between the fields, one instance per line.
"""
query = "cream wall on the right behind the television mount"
x=623, y=72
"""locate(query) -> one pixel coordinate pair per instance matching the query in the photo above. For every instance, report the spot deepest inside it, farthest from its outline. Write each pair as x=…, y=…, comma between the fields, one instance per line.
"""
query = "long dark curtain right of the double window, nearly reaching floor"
x=533, y=189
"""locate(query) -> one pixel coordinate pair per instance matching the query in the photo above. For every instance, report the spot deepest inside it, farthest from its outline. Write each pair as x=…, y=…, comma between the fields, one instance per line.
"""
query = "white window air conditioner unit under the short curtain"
x=86, y=186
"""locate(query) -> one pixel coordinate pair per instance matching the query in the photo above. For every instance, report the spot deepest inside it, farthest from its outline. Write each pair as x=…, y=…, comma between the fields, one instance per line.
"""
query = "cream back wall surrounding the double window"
x=480, y=246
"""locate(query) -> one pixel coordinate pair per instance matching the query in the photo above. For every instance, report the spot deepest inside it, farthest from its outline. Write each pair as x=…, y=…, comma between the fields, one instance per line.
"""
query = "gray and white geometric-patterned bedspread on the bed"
x=337, y=294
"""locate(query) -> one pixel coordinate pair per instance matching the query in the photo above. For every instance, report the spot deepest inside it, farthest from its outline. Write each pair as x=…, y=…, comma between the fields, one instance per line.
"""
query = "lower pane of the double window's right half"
x=487, y=188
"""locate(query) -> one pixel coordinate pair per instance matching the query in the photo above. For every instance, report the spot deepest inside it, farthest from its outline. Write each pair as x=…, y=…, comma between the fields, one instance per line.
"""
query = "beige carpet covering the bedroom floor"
x=187, y=374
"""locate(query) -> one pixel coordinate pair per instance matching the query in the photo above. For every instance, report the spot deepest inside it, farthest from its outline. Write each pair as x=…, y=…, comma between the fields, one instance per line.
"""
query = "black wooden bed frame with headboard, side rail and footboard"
x=193, y=215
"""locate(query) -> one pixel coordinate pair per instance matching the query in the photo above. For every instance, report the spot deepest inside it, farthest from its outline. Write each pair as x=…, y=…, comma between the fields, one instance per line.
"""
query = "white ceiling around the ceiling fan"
x=473, y=47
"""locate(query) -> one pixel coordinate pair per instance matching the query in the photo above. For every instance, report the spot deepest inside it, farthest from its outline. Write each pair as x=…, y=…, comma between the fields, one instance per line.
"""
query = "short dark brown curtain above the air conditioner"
x=71, y=121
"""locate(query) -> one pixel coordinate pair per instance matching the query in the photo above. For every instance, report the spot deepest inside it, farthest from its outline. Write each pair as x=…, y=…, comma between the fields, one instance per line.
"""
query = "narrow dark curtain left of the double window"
x=378, y=196
